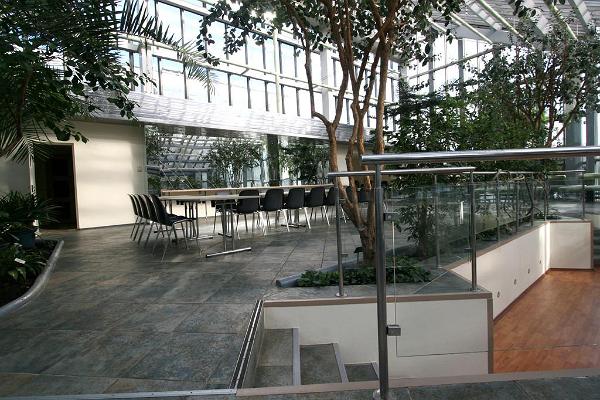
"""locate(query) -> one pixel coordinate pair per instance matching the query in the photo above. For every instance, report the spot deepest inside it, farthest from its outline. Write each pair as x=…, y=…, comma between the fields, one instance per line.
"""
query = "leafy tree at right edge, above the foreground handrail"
x=546, y=81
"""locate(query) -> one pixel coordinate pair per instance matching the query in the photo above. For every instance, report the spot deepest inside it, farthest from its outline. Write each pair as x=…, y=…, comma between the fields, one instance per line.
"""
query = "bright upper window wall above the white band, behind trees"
x=249, y=77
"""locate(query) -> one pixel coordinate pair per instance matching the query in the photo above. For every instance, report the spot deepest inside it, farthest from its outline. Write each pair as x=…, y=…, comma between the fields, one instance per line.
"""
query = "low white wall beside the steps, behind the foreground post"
x=447, y=337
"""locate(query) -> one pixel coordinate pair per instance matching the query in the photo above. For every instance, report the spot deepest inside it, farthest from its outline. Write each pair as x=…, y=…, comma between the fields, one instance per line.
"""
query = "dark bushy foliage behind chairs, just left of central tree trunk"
x=305, y=158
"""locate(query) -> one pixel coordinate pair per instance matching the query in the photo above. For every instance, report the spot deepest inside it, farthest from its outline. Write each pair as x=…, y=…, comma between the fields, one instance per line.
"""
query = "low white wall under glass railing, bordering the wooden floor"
x=510, y=268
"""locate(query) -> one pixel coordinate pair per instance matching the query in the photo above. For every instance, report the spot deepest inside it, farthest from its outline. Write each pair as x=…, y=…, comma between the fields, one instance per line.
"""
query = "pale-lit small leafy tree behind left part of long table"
x=229, y=157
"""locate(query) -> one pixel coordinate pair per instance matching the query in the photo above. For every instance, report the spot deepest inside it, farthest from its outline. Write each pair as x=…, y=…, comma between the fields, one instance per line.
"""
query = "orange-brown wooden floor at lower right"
x=555, y=325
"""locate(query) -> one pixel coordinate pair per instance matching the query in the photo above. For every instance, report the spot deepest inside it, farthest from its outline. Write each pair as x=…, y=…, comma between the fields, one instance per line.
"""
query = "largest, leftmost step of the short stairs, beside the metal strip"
x=279, y=360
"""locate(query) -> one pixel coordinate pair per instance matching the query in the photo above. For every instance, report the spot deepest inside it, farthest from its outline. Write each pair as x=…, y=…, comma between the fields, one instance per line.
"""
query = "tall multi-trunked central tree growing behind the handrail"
x=365, y=35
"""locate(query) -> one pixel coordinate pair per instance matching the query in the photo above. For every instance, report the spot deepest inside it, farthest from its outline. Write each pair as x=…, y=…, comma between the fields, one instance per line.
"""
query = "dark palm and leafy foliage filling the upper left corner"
x=56, y=52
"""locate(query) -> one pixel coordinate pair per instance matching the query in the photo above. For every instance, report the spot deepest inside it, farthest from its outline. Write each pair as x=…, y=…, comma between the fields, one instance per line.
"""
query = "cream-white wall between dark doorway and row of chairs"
x=107, y=168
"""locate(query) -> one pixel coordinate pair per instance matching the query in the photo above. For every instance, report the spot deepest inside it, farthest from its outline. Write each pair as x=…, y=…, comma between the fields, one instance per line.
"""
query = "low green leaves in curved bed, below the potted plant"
x=19, y=265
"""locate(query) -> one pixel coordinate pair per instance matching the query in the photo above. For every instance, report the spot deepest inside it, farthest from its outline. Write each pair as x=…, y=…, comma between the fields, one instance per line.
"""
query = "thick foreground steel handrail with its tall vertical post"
x=438, y=157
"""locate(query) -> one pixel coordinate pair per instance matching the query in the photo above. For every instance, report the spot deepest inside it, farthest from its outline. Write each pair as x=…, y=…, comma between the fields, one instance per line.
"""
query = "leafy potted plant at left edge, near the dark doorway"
x=18, y=212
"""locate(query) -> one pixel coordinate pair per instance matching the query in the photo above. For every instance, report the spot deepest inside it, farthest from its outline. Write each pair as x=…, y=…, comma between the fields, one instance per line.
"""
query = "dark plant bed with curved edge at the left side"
x=20, y=268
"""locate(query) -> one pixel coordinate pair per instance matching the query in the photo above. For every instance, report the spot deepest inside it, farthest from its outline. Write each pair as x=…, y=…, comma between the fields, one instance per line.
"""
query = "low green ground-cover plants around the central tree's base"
x=364, y=276
